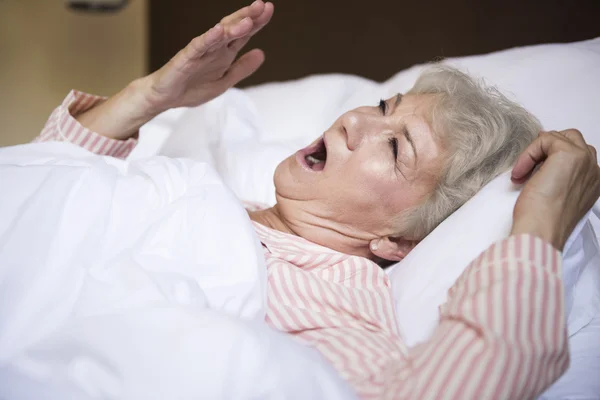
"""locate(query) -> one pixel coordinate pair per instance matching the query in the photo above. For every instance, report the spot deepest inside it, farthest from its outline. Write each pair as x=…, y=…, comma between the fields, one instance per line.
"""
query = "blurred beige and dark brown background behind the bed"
x=46, y=49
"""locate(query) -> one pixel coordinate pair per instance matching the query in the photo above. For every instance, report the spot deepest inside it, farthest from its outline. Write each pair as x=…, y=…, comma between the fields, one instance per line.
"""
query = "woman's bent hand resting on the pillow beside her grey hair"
x=564, y=188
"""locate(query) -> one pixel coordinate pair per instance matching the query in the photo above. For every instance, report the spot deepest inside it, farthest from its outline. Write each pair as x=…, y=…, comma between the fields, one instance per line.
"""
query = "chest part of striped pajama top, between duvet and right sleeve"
x=340, y=304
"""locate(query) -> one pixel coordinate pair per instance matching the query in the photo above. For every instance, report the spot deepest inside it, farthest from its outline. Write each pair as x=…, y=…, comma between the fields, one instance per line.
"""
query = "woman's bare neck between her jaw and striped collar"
x=316, y=230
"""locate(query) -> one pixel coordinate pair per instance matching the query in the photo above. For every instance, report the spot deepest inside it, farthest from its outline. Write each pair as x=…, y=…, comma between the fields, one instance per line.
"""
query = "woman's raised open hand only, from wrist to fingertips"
x=205, y=68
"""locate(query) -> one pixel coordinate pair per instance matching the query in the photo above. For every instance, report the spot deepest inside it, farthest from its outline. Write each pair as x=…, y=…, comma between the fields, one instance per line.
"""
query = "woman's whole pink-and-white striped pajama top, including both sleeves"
x=502, y=331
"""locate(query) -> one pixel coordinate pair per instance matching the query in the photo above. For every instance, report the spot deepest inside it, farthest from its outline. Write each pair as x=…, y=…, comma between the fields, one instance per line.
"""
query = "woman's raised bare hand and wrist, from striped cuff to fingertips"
x=204, y=69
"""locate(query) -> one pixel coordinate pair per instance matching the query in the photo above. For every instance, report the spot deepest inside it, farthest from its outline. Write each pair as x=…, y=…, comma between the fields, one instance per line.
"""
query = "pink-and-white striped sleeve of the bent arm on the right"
x=502, y=332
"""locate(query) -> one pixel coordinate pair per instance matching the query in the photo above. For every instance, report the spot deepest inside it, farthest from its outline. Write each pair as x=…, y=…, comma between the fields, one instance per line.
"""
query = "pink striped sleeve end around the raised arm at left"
x=62, y=126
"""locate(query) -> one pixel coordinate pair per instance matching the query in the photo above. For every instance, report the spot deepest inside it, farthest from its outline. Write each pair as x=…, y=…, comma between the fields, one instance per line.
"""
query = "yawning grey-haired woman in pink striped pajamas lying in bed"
x=364, y=194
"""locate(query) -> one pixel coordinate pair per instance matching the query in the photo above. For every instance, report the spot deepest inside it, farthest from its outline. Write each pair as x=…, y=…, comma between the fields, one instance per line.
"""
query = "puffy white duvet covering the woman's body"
x=137, y=280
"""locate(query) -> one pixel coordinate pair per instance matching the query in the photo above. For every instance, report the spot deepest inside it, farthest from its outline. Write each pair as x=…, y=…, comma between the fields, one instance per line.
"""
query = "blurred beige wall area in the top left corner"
x=46, y=50
